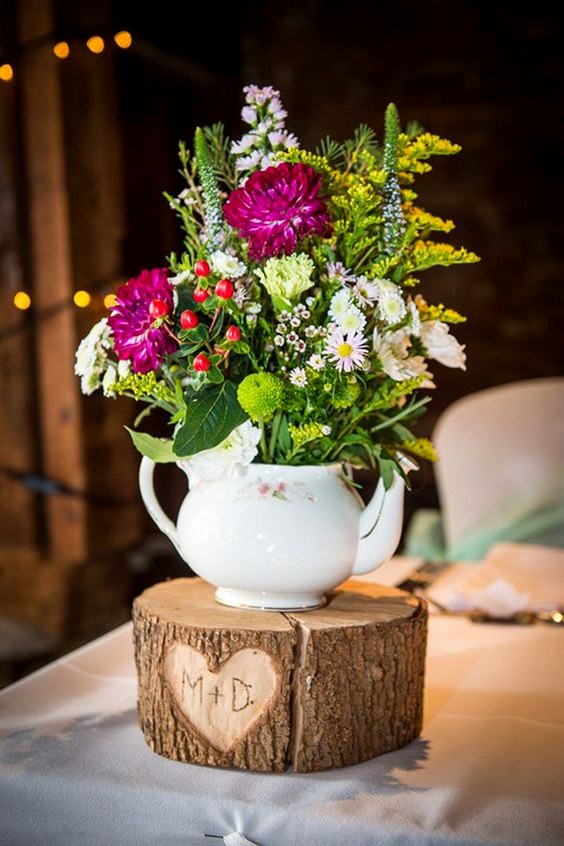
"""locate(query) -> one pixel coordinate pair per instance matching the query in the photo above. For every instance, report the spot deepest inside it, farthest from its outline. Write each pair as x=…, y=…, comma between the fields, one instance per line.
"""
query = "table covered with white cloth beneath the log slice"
x=488, y=768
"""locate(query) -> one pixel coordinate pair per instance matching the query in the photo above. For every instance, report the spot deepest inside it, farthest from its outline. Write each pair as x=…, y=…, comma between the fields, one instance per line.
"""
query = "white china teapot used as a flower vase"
x=279, y=537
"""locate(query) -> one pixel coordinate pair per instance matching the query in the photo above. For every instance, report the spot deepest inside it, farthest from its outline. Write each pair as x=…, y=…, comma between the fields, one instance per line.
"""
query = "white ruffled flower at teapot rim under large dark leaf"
x=226, y=460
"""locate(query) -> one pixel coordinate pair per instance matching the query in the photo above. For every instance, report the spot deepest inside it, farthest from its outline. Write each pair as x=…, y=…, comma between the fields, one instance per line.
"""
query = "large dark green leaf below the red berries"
x=210, y=418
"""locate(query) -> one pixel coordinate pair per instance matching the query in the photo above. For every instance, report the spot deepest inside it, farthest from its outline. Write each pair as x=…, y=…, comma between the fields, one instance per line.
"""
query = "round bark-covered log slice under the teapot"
x=263, y=690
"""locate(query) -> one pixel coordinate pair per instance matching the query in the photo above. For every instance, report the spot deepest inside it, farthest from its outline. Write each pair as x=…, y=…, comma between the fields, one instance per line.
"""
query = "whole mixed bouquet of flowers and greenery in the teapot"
x=288, y=329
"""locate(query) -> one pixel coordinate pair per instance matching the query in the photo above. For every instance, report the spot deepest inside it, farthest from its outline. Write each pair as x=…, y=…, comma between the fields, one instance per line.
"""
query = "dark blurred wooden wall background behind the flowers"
x=88, y=143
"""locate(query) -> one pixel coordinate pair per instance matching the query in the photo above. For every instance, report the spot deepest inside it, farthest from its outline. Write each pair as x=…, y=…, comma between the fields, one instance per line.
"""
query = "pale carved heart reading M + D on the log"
x=221, y=707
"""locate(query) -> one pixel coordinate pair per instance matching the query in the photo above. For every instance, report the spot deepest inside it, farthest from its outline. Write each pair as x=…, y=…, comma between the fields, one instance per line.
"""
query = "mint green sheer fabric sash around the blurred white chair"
x=536, y=518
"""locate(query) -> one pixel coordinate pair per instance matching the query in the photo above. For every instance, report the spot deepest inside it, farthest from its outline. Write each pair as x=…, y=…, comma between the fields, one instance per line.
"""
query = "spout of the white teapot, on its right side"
x=380, y=523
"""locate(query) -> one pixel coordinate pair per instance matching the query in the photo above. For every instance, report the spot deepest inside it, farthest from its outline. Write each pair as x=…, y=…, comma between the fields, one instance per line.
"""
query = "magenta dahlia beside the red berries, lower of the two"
x=138, y=333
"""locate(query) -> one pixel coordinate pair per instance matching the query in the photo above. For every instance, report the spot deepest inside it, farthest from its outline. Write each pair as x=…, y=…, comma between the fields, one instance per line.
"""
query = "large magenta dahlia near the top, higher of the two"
x=277, y=206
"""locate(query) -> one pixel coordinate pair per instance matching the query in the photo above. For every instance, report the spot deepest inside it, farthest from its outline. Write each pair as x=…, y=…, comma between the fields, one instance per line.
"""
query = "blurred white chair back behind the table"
x=497, y=447
